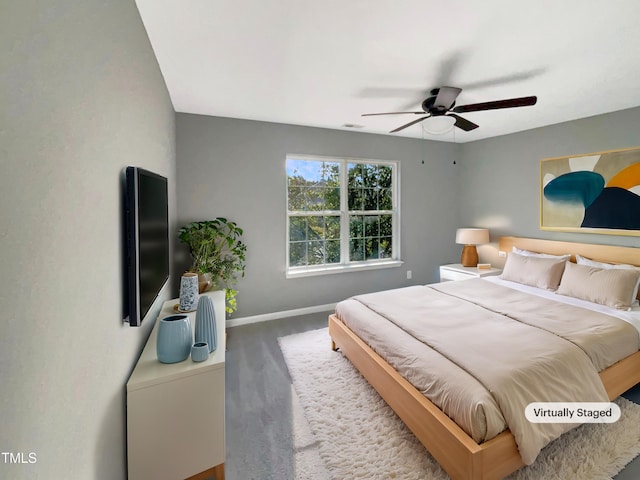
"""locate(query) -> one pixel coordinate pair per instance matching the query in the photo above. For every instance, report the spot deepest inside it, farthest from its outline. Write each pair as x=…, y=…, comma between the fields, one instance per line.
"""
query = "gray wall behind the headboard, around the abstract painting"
x=500, y=177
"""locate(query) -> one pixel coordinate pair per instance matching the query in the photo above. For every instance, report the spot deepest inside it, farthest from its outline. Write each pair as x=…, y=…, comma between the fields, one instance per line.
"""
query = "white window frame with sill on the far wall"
x=345, y=265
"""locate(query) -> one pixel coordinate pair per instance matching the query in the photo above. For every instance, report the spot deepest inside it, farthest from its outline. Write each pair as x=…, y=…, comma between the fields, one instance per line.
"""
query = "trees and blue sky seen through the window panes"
x=340, y=211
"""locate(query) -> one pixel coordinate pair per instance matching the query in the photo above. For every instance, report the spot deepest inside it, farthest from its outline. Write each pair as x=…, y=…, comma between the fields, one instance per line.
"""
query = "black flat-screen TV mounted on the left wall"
x=147, y=224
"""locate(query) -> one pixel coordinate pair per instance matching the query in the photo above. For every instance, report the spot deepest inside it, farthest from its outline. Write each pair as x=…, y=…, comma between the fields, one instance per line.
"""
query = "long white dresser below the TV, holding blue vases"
x=175, y=412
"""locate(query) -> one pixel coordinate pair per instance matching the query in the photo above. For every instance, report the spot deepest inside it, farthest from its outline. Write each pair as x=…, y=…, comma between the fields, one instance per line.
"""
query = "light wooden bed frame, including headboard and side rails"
x=460, y=456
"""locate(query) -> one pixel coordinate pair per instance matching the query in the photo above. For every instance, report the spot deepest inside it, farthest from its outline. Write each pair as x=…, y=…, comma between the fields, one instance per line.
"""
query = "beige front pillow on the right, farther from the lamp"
x=605, y=286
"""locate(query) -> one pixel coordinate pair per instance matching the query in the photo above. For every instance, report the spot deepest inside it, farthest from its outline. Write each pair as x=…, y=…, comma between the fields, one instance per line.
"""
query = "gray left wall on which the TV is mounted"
x=82, y=97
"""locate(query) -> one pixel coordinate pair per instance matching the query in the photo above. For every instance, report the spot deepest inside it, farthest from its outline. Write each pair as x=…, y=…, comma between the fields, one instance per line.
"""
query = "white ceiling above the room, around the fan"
x=325, y=62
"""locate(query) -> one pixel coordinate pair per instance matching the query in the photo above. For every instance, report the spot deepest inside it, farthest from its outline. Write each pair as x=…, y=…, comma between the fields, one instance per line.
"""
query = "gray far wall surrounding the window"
x=236, y=169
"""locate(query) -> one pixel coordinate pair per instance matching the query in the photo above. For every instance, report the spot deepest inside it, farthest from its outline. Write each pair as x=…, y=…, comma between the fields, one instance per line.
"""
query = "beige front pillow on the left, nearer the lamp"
x=535, y=271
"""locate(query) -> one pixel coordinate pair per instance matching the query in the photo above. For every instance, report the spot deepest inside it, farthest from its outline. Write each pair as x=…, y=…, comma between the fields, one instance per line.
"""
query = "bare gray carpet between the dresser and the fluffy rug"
x=259, y=419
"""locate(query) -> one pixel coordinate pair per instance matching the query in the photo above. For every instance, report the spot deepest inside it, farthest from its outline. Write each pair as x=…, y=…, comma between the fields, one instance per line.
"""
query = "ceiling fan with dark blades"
x=442, y=103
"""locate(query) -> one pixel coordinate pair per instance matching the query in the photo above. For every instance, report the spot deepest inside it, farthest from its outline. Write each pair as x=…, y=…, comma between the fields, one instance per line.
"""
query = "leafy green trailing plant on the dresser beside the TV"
x=218, y=251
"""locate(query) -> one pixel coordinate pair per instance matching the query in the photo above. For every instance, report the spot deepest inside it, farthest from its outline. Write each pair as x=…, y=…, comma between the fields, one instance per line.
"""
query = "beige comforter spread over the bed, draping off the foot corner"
x=482, y=352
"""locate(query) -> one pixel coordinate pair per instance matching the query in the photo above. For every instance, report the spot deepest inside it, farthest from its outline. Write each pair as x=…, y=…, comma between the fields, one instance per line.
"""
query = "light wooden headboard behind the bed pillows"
x=601, y=253
